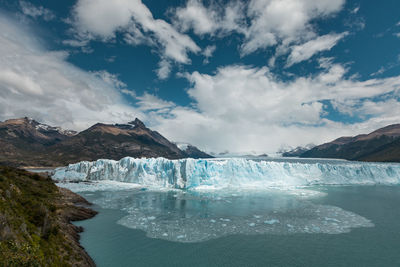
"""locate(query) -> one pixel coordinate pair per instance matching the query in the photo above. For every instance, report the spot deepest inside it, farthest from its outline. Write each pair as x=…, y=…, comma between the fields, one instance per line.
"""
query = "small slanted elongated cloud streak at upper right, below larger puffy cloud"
x=307, y=50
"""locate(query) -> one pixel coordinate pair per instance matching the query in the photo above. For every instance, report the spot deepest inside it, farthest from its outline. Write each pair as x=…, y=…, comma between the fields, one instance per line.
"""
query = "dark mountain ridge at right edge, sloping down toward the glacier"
x=380, y=145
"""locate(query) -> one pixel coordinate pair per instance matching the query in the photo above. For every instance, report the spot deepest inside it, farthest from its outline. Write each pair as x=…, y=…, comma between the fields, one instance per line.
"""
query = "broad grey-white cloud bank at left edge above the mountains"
x=41, y=84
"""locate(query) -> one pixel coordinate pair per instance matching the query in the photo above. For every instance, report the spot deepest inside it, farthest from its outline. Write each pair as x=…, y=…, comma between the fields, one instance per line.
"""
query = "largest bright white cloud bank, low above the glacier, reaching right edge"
x=242, y=108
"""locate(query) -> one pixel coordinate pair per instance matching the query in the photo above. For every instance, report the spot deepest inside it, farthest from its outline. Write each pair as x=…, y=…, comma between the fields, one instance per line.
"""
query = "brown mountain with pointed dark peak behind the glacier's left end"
x=114, y=142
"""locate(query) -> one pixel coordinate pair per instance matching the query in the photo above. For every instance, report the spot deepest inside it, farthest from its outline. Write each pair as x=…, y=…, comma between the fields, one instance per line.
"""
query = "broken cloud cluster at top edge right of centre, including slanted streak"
x=284, y=24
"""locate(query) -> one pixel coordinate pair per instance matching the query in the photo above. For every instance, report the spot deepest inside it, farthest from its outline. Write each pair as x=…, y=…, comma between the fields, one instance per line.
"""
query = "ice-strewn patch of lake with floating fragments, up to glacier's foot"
x=187, y=216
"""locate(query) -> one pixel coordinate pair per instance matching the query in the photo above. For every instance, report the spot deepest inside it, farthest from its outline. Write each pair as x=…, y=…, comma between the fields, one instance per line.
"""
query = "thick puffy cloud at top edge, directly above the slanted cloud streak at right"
x=284, y=21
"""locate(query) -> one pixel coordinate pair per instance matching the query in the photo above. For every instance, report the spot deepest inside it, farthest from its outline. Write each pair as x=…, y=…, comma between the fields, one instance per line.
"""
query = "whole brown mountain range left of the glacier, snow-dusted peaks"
x=27, y=142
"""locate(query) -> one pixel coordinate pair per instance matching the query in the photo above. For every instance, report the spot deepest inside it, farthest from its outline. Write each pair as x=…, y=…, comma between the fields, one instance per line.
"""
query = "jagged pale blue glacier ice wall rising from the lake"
x=223, y=173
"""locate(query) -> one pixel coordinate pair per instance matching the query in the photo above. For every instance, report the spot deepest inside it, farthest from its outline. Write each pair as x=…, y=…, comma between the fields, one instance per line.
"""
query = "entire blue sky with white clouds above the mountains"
x=253, y=76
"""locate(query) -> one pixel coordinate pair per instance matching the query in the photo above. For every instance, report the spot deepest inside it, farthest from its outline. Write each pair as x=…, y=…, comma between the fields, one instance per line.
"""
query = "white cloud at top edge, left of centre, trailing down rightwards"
x=103, y=19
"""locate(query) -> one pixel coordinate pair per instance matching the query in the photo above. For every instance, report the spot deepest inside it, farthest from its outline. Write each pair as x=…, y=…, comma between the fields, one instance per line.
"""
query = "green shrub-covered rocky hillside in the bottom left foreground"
x=35, y=228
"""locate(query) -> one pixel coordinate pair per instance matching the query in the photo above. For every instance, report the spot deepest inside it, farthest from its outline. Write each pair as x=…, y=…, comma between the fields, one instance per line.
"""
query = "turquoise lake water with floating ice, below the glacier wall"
x=319, y=226
